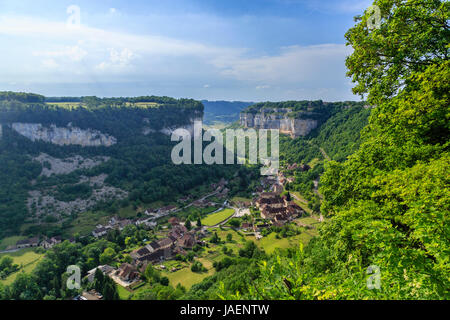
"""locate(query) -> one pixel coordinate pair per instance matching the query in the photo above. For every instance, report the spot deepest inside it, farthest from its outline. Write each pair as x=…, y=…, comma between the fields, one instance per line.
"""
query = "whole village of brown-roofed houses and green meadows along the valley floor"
x=177, y=243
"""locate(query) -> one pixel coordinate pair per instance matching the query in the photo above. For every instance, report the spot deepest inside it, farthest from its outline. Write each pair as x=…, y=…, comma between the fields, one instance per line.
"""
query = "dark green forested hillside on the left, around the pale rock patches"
x=138, y=163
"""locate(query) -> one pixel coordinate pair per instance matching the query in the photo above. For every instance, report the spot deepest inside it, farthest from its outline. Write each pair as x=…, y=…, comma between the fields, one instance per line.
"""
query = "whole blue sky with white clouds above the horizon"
x=254, y=50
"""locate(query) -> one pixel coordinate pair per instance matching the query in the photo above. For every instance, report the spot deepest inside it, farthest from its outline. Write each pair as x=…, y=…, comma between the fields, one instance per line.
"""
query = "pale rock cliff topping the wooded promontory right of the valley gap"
x=279, y=119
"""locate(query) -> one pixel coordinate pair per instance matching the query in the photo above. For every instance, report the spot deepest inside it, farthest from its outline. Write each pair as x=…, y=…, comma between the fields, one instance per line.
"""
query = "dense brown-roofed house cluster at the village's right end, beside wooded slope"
x=278, y=209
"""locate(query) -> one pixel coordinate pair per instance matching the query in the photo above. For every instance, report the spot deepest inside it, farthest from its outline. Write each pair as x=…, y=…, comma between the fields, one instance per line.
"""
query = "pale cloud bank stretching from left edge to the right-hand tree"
x=93, y=55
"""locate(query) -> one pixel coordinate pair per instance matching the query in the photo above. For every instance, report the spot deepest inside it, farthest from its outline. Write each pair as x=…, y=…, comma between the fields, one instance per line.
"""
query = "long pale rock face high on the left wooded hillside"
x=64, y=136
